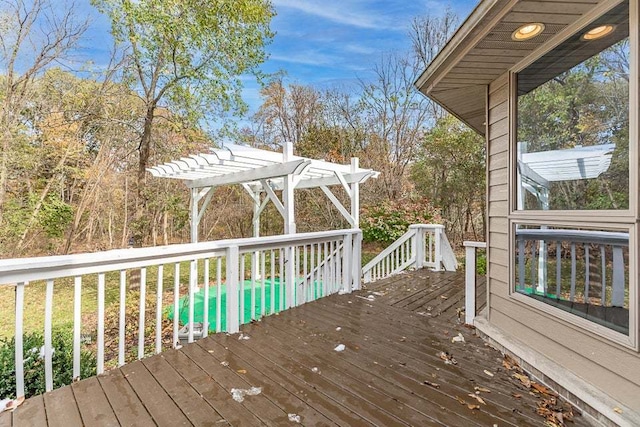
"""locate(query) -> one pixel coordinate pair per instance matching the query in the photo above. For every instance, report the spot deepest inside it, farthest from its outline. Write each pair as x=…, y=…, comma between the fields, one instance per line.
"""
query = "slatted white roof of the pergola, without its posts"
x=239, y=164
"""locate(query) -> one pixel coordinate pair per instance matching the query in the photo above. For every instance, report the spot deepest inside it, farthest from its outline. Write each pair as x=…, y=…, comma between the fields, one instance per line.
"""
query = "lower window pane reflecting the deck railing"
x=584, y=272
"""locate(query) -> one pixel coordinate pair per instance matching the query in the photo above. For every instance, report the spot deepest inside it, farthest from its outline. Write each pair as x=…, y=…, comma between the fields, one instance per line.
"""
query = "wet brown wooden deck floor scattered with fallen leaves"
x=397, y=335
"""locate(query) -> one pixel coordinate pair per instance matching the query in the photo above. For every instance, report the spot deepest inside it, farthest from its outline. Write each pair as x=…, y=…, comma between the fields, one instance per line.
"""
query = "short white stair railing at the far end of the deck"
x=423, y=245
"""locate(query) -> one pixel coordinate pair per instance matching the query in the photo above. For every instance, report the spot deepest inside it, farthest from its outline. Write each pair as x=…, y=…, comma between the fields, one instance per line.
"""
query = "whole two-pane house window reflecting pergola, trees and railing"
x=571, y=158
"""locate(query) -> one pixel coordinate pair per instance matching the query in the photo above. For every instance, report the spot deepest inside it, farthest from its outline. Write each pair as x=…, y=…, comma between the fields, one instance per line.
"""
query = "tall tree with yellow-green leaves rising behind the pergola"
x=188, y=55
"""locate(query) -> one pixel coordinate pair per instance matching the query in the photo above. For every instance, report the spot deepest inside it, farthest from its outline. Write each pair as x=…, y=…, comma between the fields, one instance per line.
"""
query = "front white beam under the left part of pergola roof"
x=295, y=167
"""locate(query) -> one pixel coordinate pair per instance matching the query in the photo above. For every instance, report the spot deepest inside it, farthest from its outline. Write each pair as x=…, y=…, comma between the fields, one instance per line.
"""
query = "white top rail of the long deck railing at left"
x=42, y=268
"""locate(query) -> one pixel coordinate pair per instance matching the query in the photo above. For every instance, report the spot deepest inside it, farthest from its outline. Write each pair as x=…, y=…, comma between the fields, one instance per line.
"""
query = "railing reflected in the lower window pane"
x=605, y=248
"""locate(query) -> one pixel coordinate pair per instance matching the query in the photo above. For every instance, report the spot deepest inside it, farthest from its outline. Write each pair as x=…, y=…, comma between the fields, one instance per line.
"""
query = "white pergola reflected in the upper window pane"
x=537, y=170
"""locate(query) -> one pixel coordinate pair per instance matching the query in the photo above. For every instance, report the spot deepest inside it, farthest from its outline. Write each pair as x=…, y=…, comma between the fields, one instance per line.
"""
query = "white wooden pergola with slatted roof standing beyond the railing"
x=261, y=173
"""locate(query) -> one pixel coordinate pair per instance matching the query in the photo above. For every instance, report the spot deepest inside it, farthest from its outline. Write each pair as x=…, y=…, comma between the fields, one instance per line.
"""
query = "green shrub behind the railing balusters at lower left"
x=34, y=379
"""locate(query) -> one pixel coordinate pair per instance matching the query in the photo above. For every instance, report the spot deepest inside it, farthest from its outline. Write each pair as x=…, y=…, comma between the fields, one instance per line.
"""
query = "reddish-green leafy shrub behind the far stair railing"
x=389, y=220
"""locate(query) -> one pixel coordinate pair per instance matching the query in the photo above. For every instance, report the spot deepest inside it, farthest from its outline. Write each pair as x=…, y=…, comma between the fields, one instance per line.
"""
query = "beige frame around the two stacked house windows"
x=625, y=220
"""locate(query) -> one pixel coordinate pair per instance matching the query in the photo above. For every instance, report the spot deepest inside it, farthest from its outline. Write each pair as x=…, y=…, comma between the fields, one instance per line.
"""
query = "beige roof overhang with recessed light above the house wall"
x=482, y=50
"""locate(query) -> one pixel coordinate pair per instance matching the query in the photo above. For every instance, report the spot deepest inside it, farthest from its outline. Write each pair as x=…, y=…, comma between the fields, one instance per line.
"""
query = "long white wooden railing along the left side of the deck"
x=311, y=265
